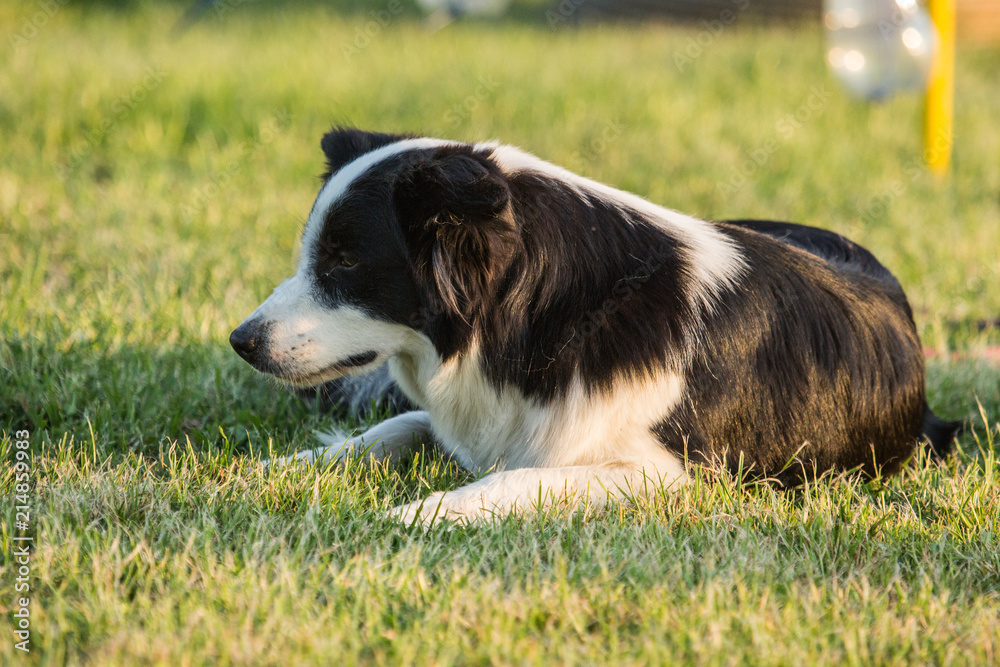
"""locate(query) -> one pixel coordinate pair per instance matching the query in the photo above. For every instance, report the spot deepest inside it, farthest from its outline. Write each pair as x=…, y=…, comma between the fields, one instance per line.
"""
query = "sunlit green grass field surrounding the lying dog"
x=152, y=187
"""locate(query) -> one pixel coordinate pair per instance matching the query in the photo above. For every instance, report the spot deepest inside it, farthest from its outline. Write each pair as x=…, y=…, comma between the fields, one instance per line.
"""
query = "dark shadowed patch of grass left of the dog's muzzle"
x=126, y=398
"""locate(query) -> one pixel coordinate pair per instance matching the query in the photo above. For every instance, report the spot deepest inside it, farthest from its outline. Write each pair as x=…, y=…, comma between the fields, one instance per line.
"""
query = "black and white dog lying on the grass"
x=578, y=342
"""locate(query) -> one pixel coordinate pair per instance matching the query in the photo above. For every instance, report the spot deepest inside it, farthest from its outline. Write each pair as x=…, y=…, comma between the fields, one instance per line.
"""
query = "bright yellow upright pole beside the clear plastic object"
x=940, y=110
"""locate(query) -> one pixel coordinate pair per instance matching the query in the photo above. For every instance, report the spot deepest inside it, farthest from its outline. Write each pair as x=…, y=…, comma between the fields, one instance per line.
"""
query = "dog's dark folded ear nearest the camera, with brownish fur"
x=454, y=207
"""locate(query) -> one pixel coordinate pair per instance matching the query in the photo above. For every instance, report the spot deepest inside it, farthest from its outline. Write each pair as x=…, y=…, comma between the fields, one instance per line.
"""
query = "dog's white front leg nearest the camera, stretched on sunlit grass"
x=529, y=489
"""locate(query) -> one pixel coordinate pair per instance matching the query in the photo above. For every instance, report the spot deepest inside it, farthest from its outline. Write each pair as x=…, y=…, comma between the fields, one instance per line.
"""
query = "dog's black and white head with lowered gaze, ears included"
x=405, y=243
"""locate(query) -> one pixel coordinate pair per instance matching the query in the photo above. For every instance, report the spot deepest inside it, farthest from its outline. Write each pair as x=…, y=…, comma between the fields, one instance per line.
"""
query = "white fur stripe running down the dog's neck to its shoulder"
x=717, y=262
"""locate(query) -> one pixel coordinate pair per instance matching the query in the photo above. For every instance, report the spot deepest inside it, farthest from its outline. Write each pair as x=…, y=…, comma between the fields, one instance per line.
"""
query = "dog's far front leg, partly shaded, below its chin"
x=393, y=438
